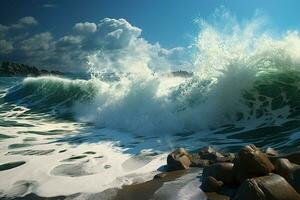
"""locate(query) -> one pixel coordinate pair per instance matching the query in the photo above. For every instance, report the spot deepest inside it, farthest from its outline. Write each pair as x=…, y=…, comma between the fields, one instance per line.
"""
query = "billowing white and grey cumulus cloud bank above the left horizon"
x=120, y=43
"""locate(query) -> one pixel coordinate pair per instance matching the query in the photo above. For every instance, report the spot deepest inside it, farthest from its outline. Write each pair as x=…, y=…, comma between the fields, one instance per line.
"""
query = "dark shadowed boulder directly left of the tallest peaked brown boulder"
x=220, y=171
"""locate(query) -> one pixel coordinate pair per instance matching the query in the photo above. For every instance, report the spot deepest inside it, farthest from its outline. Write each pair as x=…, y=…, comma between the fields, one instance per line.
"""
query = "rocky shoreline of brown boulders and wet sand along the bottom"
x=219, y=175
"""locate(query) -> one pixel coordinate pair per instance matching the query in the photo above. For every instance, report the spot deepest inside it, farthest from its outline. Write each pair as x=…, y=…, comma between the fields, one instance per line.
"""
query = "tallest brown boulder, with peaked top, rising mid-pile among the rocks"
x=253, y=162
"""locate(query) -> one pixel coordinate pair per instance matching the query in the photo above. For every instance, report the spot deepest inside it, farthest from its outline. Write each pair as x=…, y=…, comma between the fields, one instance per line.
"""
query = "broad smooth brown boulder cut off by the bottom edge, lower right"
x=273, y=187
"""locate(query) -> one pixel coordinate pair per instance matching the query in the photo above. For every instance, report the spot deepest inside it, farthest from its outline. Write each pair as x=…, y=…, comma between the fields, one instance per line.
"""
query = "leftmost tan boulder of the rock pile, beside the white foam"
x=178, y=160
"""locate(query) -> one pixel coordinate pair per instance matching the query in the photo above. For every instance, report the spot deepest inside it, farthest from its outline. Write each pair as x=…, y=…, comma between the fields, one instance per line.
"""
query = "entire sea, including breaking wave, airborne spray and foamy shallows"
x=116, y=125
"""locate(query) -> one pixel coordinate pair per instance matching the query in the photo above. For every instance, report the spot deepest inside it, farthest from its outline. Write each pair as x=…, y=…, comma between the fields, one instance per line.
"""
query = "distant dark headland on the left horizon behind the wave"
x=8, y=69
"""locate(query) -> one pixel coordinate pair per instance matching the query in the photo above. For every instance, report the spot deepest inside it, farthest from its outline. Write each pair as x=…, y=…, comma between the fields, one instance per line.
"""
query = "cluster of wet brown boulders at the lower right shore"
x=250, y=175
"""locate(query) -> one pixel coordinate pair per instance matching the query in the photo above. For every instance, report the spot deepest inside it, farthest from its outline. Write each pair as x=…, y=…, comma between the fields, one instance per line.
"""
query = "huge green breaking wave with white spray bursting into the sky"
x=240, y=78
